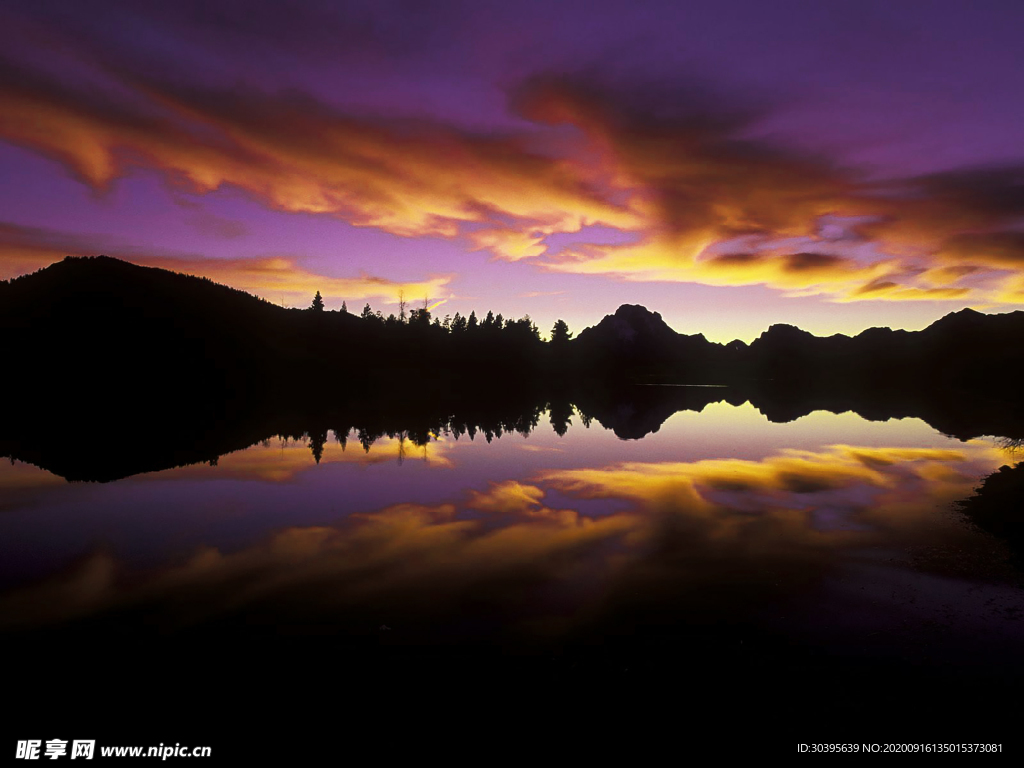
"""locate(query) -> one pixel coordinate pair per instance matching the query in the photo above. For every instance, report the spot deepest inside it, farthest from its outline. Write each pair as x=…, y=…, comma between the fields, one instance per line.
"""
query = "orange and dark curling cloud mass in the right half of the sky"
x=699, y=186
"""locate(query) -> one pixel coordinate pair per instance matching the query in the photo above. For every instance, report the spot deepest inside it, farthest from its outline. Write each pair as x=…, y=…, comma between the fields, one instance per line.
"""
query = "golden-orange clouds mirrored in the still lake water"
x=705, y=541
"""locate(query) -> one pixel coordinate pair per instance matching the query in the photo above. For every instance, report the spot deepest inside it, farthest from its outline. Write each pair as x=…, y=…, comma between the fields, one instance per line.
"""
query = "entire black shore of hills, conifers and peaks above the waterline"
x=94, y=324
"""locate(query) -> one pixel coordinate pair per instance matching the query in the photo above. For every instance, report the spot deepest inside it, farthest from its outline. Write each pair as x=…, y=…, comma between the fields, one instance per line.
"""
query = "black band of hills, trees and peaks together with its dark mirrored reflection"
x=114, y=369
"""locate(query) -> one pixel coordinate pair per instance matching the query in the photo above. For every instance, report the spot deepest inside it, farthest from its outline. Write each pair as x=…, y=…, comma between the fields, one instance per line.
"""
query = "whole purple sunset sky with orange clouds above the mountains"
x=731, y=164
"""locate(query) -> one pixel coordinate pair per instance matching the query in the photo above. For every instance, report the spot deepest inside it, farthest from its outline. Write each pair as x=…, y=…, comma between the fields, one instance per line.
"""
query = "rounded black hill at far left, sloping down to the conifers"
x=80, y=319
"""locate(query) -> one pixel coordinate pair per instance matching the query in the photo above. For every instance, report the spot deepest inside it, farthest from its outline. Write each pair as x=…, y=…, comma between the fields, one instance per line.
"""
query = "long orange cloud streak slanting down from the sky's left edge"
x=298, y=155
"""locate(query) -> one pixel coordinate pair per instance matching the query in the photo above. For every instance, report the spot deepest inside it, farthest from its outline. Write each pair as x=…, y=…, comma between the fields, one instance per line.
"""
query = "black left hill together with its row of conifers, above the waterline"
x=83, y=326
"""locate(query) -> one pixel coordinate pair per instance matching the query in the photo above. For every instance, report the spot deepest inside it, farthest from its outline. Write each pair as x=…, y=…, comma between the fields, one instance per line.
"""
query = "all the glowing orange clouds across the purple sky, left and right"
x=674, y=169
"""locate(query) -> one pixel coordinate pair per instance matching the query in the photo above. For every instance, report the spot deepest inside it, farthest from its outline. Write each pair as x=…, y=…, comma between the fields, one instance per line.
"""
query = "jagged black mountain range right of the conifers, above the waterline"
x=959, y=350
